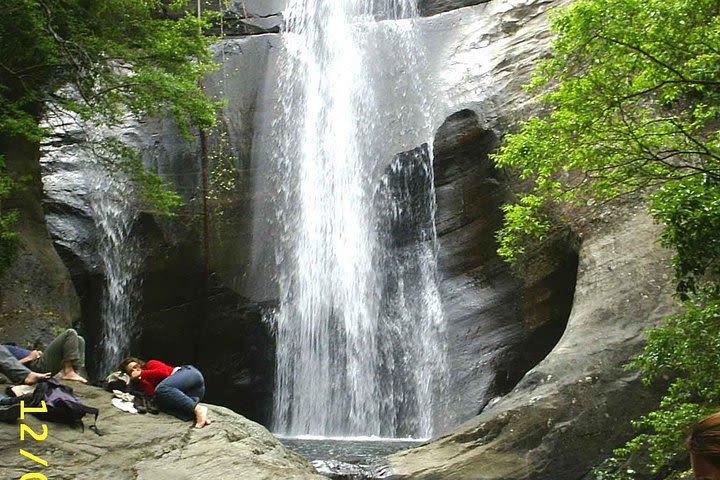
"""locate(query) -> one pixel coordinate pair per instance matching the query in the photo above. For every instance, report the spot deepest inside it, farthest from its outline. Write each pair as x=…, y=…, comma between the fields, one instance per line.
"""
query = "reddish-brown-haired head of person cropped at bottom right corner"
x=704, y=445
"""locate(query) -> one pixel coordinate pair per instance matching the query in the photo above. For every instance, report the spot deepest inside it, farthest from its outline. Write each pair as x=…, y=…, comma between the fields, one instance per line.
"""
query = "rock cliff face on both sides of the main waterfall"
x=199, y=289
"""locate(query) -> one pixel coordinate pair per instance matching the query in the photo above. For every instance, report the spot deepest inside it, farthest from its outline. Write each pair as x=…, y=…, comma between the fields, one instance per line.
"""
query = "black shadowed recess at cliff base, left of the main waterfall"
x=221, y=332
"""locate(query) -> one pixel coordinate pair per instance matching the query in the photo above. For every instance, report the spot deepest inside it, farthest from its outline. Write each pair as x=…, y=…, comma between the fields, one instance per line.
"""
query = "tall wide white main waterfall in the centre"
x=360, y=348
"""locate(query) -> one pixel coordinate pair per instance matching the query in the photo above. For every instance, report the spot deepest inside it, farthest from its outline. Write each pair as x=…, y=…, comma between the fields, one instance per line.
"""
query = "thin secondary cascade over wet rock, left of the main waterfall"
x=105, y=195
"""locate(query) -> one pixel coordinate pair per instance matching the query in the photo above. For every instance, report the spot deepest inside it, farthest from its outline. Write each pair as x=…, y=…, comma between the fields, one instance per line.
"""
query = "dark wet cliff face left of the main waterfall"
x=188, y=309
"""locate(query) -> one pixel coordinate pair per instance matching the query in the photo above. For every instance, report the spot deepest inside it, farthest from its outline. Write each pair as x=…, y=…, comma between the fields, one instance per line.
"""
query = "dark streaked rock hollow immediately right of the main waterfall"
x=500, y=325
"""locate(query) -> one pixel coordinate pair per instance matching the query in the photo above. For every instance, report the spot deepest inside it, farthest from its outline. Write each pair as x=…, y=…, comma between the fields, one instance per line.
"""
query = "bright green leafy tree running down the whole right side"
x=632, y=97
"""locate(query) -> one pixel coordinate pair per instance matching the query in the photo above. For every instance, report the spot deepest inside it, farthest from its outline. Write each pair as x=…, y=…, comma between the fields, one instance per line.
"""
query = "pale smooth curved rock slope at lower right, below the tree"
x=575, y=405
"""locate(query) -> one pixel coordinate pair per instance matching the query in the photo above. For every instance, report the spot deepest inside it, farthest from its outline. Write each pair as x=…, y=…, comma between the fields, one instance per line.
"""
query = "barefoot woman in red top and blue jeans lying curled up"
x=177, y=390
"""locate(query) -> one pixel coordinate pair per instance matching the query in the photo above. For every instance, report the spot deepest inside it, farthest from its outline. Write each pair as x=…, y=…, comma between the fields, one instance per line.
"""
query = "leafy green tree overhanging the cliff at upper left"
x=100, y=59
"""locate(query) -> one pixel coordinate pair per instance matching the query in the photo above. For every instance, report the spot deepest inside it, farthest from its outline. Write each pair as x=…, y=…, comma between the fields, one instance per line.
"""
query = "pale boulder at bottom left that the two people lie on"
x=150, y=447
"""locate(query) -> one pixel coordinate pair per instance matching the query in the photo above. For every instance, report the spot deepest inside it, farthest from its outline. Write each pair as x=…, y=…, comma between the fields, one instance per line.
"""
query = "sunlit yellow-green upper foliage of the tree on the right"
x=633, y=91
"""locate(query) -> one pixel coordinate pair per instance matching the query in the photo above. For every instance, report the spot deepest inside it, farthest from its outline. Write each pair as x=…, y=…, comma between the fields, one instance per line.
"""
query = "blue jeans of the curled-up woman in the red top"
x=179, y=393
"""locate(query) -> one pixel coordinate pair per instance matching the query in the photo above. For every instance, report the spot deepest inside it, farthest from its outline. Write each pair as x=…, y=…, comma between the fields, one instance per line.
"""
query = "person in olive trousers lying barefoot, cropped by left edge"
x=64, y=356
